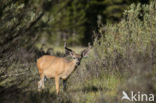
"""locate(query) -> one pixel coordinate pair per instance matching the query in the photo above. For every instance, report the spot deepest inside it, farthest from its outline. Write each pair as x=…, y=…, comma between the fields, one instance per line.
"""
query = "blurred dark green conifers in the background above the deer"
x=75, y=20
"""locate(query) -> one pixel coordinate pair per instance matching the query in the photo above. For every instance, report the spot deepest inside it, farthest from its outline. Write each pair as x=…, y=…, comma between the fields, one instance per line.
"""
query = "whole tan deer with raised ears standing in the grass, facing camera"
x=58, y=67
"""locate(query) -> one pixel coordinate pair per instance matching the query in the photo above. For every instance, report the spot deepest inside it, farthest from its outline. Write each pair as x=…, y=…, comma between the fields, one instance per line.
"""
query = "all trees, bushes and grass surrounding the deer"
x=123, y=57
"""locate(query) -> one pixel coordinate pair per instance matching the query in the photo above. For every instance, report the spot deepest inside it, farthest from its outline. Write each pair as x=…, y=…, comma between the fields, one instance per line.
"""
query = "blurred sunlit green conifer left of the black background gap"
x=68, y=21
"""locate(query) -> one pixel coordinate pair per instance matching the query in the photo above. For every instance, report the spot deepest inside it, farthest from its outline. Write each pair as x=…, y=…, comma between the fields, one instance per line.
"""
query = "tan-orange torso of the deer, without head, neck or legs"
x=52, y=66
